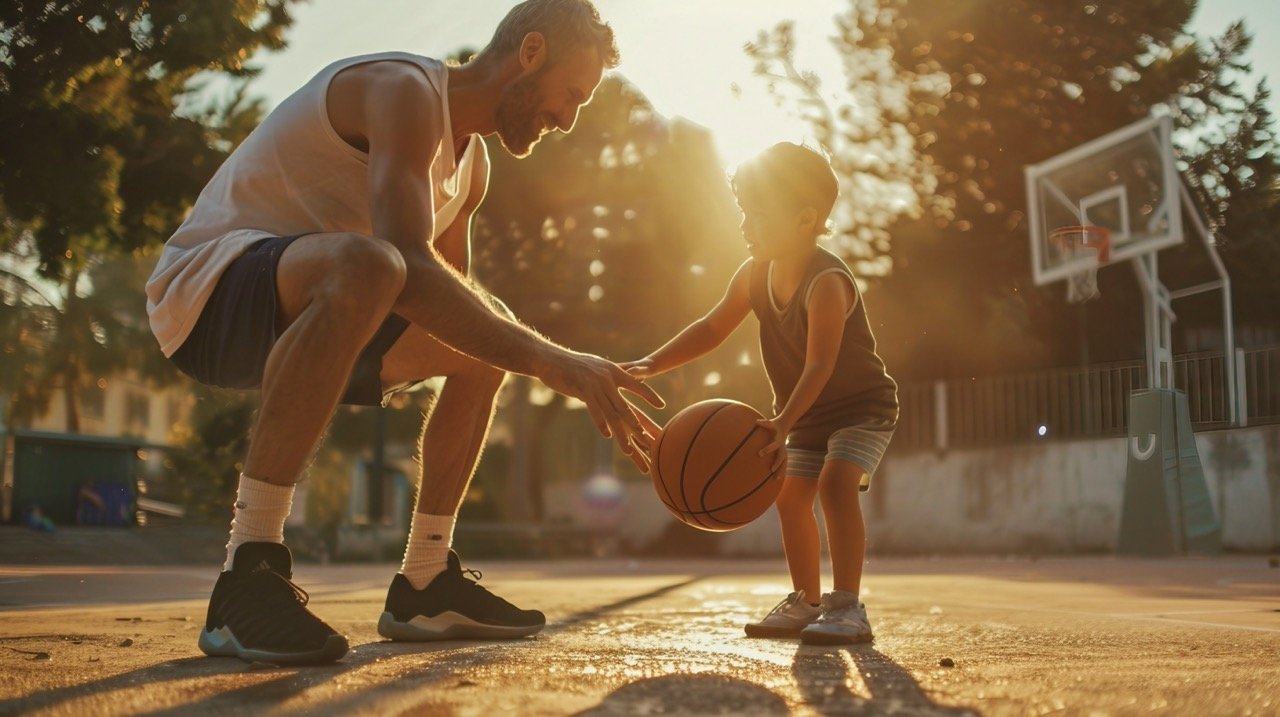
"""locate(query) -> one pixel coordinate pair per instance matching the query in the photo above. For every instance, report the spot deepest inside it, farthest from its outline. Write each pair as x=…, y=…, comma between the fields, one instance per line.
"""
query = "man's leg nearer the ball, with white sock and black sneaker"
x=433, y=599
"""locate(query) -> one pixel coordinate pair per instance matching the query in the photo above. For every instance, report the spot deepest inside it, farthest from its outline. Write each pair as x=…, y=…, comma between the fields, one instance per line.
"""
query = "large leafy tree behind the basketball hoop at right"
x=1028, y=80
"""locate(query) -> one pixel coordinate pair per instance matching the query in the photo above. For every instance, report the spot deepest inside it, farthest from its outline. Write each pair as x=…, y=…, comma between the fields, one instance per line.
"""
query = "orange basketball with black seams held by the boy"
x=708, y=471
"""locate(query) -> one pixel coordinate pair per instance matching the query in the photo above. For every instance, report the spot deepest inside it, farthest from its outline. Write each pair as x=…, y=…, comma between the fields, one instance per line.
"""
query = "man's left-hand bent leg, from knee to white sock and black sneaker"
x=332, y=291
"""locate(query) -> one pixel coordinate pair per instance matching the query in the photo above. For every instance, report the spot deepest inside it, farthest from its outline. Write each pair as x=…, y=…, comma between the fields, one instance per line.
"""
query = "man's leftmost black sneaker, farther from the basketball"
x=259, y=615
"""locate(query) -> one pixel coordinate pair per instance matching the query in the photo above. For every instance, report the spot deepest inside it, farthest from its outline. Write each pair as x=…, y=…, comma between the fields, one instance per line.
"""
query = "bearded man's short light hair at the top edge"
x=568, y=26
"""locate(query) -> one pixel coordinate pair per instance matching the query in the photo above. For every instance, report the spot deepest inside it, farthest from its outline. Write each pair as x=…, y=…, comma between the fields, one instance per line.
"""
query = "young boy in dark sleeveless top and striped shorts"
x=835, y=405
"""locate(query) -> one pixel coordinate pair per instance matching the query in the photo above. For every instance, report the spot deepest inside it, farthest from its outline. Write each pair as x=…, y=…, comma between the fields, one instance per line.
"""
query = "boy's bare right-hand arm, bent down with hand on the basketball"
x=829, y=305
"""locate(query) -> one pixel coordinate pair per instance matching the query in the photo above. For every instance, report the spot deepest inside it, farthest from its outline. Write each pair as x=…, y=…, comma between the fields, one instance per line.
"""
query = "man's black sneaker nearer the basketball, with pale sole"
x=452, y=608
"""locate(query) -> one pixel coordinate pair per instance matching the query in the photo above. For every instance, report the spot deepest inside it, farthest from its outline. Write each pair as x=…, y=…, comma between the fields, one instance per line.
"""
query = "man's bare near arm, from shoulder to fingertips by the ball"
x=388, y=109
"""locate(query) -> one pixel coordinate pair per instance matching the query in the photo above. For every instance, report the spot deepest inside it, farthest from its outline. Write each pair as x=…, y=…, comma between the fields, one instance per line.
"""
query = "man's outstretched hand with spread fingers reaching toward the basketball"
x=600, y=383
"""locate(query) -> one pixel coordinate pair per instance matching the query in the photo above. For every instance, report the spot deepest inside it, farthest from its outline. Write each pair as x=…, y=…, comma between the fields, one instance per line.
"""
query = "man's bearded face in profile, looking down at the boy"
x=547, y=101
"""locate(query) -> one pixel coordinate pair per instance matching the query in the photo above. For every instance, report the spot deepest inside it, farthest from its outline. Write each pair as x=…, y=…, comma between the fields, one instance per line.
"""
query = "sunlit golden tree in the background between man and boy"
x=607, y=240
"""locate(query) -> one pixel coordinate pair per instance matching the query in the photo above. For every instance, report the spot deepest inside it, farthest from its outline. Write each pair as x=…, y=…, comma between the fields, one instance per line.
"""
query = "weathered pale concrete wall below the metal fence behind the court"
x=1048, y=497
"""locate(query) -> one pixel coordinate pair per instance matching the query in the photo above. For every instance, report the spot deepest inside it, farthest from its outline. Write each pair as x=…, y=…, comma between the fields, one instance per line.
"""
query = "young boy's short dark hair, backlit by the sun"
x=794, y=175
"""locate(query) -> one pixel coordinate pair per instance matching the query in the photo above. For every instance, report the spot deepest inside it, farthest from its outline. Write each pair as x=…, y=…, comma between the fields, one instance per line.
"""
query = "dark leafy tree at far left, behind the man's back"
x=95, y=157
